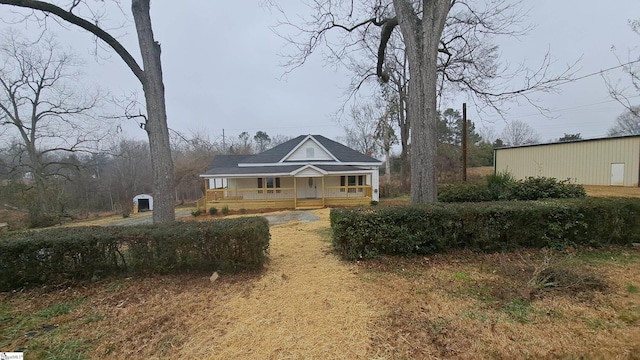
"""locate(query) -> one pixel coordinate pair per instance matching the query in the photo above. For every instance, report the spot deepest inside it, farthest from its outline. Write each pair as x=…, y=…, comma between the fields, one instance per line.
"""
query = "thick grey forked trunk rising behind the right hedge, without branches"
x=422, y=37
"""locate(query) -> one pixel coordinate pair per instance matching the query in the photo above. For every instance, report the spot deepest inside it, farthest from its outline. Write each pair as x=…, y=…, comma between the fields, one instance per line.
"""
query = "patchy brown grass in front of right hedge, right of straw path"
x=471, y=306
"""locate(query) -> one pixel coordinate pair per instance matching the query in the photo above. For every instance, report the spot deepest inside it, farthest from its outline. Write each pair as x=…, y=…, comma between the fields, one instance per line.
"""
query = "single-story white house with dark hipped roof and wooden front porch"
x=309, y=171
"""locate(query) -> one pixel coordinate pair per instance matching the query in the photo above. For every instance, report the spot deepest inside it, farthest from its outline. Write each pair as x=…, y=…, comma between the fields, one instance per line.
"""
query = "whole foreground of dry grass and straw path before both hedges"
x=308, y=304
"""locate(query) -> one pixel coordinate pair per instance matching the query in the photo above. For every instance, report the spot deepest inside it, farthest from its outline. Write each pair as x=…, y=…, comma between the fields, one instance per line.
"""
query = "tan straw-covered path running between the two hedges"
x=307, y=304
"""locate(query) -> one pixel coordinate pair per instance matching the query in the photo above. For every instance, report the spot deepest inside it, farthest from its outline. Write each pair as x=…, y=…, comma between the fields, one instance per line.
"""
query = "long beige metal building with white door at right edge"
x=605, y=161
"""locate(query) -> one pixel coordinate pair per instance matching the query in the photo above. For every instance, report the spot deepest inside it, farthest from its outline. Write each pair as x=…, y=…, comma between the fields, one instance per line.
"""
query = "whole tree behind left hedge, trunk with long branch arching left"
x=149, y=75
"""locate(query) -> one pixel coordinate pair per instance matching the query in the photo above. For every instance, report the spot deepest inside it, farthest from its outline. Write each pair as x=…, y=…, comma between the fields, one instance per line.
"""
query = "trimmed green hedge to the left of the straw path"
x=84, y=253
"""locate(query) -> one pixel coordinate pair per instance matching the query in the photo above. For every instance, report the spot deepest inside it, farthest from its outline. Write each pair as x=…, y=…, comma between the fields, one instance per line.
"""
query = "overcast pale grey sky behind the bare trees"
x=221, y=68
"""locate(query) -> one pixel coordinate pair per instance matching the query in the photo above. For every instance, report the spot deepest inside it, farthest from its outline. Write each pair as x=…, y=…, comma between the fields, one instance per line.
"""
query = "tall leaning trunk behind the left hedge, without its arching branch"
x=156, y=123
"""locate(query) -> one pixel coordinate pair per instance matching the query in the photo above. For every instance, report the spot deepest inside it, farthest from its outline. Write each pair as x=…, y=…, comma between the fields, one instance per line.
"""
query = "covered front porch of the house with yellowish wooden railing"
x=300, y=191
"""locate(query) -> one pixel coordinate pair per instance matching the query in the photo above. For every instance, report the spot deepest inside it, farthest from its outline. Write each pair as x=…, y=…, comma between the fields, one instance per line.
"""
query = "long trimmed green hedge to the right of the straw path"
x=495, y=226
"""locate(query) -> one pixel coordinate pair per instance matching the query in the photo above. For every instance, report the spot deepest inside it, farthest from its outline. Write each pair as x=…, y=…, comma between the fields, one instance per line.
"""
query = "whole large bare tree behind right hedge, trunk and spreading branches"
x=461, y=55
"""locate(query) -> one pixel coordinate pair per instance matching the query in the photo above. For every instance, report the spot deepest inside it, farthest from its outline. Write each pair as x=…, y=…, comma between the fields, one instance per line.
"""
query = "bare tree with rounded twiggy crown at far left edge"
x=44, y=116
